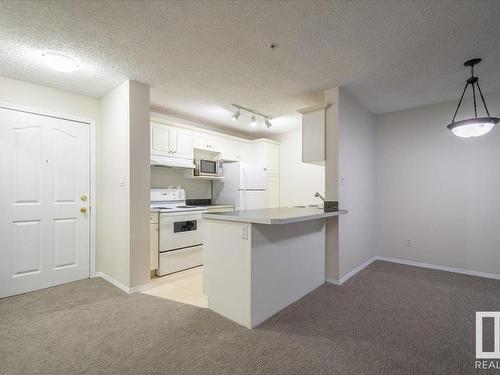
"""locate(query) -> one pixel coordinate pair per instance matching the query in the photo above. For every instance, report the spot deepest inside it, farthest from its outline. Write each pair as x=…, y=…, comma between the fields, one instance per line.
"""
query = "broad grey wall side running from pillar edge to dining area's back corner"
x=356, y=165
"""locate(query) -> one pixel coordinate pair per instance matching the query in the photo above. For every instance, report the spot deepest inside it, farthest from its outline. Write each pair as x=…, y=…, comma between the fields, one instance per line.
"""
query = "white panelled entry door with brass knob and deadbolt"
x=44, y=201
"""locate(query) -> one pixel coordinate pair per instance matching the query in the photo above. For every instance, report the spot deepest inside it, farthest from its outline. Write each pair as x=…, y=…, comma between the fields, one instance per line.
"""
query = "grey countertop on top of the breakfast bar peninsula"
x=279, y=215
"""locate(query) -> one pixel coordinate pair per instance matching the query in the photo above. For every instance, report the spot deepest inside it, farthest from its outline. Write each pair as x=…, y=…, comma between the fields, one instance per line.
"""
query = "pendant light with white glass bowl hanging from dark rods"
x=477, y=126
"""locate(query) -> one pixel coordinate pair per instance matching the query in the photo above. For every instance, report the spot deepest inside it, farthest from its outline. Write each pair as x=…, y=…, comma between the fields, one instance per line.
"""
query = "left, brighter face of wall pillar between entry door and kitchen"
x=113, y=216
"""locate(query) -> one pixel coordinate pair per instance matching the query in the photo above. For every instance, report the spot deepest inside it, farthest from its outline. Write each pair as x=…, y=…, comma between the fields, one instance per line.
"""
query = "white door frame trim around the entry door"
x=93, y=172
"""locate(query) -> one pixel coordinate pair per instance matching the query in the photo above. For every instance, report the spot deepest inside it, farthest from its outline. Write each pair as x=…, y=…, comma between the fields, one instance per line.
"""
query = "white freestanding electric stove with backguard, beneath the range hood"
x=180, y=231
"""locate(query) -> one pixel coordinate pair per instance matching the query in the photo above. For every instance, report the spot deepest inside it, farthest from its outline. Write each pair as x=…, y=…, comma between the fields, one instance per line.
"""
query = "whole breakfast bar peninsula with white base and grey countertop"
x=257, y=262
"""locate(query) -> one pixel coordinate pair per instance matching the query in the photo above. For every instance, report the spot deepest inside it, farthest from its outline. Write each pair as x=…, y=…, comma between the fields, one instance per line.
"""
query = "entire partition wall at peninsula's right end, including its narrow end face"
x=350, y=179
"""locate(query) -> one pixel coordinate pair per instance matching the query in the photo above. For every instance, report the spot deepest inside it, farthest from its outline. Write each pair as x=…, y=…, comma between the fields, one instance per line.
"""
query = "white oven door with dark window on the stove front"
x=180, y=230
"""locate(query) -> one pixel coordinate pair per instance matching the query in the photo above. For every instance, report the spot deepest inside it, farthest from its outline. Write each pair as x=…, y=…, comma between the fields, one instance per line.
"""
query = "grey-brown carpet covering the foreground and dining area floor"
x=388, y=319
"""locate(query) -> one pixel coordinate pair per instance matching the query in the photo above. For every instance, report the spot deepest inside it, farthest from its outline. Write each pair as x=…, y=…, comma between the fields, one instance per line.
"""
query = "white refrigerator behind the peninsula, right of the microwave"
x=244, y=185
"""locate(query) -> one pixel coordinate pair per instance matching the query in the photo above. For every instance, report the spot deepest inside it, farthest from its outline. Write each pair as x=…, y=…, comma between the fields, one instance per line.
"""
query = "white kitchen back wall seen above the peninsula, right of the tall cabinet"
x=298, y=181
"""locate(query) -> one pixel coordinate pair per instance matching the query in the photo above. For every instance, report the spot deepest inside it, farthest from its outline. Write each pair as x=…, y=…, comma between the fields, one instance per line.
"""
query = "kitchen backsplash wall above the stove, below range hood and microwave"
x=162, y=177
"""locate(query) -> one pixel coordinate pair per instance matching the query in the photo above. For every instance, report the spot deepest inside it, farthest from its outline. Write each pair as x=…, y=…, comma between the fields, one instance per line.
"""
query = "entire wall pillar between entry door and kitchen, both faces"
x=123, y=221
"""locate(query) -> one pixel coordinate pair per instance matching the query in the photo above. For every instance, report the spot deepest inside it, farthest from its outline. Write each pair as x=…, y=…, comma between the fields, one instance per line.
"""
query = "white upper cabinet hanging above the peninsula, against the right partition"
x=313, y=134
